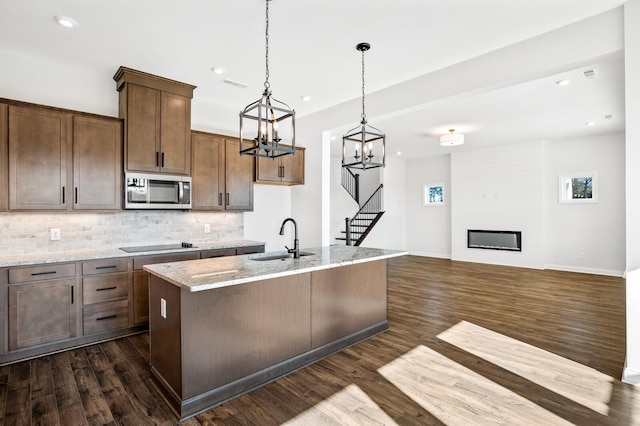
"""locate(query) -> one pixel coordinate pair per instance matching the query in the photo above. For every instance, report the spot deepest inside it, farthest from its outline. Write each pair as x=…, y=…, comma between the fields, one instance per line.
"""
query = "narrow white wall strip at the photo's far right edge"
x=632, y=158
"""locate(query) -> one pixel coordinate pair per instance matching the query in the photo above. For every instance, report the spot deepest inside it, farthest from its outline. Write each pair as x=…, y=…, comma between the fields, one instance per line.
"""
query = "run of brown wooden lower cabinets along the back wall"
x=52, y=307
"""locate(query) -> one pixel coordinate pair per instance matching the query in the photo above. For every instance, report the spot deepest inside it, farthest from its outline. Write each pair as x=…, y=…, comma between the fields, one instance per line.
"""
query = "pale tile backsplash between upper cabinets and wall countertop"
x=22, y=233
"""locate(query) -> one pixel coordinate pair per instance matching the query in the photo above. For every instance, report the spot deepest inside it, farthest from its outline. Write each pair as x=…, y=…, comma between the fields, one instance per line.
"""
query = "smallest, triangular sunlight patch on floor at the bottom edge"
x=350, y=406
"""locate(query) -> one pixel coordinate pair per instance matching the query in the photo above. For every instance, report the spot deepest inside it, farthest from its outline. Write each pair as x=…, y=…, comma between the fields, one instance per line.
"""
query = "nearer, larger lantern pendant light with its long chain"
x=273, y=121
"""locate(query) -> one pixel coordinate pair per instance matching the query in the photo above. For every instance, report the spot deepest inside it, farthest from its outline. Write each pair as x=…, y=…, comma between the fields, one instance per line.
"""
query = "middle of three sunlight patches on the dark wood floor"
x=458, y=396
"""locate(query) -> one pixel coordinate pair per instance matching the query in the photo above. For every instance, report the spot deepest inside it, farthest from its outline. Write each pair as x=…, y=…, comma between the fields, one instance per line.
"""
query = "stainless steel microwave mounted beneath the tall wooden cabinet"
x=156, y=191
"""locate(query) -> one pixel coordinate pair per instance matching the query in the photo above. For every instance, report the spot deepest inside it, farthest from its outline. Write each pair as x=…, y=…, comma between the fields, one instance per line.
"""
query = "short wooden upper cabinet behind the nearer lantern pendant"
x=285, y=170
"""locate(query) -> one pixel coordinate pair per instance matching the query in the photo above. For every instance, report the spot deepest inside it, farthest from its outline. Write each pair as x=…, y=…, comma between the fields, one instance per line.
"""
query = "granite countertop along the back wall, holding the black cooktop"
x=81, y=255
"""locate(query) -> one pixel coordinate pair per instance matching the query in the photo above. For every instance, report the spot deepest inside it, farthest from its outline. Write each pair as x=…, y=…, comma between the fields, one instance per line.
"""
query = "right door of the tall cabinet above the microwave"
x=175, y=139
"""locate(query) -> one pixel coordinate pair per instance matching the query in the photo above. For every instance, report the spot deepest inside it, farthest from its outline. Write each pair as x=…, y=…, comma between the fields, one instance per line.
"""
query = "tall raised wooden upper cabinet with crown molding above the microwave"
x=157, y=113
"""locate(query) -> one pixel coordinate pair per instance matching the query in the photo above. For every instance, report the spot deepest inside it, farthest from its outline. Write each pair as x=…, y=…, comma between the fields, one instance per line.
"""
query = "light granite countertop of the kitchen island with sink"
x=205, y=274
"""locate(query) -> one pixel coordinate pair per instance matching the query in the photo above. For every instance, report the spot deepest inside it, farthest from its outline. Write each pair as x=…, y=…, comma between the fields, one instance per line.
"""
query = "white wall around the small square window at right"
x=586, y=237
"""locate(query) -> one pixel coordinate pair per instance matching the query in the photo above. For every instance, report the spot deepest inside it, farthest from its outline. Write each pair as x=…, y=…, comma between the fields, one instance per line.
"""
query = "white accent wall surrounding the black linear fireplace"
x=499, y=189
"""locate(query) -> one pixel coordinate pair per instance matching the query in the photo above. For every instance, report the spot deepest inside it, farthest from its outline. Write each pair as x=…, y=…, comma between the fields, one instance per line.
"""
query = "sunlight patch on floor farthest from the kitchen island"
x=579, y=383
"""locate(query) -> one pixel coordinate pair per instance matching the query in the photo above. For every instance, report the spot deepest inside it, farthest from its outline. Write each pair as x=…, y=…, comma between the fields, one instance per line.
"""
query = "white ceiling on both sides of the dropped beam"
x=312, y=53
